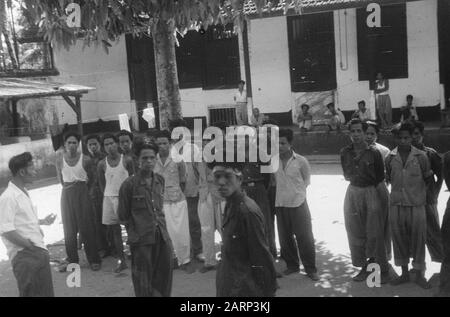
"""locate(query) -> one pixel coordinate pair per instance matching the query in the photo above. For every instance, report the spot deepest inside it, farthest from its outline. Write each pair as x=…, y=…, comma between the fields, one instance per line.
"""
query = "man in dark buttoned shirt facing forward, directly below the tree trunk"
x=141, y=210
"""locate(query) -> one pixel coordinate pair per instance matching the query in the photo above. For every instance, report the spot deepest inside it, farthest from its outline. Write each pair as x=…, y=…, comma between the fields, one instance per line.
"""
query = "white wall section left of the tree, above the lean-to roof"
x=108, y=73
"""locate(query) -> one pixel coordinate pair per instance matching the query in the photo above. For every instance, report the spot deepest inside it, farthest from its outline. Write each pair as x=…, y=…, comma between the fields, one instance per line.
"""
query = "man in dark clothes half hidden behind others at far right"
x=434, y=239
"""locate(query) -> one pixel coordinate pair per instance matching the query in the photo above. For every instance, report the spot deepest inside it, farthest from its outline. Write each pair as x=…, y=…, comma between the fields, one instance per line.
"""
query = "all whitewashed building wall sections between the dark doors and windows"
x=269, y=63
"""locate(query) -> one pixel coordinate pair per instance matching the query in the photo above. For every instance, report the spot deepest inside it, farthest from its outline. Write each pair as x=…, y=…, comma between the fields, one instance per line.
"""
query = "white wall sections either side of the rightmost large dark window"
x=423, y=60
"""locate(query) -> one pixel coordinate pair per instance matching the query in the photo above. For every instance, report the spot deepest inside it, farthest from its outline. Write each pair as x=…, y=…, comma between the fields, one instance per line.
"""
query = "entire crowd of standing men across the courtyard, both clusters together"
x=171, y=211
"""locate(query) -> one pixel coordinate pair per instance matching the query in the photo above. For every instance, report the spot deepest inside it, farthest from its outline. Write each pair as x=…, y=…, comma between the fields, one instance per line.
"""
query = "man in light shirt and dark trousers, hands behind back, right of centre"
x=293, y=216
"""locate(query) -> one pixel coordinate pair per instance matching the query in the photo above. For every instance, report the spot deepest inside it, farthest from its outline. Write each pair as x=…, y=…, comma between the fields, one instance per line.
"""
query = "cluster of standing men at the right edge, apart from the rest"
x=407, y=217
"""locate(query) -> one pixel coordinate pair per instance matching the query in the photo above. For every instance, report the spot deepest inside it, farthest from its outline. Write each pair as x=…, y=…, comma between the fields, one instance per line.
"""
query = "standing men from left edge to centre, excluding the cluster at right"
x=171, y=211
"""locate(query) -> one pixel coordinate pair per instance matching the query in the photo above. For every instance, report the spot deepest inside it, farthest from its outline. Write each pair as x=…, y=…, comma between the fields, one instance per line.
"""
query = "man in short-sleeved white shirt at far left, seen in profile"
x=21, y=233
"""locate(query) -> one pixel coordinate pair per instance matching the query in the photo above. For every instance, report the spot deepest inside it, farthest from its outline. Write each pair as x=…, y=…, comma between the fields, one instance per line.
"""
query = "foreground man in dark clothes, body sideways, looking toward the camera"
x=247, y=267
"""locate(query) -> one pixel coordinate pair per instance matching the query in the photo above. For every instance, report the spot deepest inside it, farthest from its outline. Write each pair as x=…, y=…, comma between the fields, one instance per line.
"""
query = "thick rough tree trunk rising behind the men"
x=166, y=73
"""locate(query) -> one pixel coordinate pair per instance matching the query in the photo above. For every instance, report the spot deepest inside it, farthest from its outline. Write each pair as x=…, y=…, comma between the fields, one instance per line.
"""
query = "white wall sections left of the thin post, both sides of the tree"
x=108, y=73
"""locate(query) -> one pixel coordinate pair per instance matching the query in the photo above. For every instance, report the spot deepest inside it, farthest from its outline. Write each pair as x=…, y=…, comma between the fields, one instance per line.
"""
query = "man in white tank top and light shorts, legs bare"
x=112, y=172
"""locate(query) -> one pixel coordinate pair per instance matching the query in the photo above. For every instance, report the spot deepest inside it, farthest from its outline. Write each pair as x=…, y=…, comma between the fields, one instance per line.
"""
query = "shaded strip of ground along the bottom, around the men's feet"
x=335, y=272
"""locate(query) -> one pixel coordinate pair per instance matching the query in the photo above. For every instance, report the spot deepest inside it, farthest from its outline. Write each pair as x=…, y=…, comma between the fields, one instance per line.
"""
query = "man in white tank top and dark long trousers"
x=74, y=171
